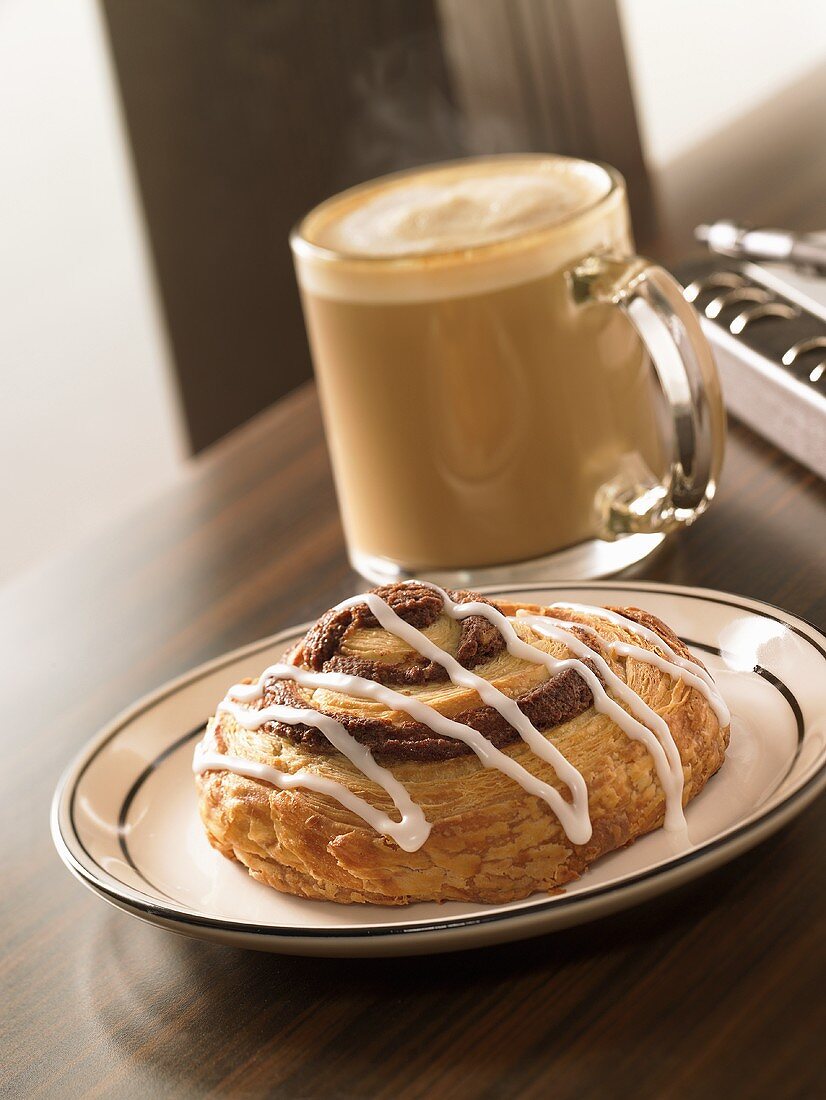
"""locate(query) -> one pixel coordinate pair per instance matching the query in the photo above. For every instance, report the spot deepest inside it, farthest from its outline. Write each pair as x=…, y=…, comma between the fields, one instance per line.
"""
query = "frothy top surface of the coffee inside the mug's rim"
x=451, y=210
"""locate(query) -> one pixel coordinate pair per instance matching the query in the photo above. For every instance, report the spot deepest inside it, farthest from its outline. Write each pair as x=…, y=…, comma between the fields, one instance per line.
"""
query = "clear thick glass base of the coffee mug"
x=582, y=563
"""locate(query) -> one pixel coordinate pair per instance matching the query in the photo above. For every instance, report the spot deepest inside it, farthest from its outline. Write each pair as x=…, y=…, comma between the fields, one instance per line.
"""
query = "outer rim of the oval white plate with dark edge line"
x=629, y=890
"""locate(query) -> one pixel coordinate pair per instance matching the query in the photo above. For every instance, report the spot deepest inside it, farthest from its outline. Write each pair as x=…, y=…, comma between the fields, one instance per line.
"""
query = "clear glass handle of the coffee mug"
x=654, y=303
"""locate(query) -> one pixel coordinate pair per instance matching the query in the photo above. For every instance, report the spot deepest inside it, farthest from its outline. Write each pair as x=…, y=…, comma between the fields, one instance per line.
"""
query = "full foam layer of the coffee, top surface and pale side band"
x=422, y=236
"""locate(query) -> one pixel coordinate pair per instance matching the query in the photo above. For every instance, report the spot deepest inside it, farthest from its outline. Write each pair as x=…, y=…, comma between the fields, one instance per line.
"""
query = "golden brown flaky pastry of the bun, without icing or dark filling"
x=491, y=841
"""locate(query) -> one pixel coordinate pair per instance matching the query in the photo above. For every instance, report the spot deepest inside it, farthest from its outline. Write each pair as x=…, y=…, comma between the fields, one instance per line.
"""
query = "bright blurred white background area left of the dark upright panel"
x=90, y=424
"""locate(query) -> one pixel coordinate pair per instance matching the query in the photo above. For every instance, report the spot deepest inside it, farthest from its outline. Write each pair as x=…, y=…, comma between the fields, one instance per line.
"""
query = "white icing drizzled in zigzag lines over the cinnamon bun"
x=413, y=830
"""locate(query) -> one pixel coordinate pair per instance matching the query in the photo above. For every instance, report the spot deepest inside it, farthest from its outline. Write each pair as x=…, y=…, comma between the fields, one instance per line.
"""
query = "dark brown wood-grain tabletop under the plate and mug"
x=715, y=989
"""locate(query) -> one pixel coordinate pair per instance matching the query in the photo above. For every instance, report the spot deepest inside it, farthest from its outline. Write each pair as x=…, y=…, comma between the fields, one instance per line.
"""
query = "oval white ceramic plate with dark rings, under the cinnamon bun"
x=125, y=817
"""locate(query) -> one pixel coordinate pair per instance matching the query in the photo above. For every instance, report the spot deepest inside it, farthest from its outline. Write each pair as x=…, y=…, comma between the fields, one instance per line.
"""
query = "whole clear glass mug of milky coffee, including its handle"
x=483, y=338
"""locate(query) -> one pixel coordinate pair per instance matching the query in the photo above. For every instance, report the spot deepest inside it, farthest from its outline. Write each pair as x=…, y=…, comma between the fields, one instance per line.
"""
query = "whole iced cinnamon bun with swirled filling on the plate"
x=423, y=745
